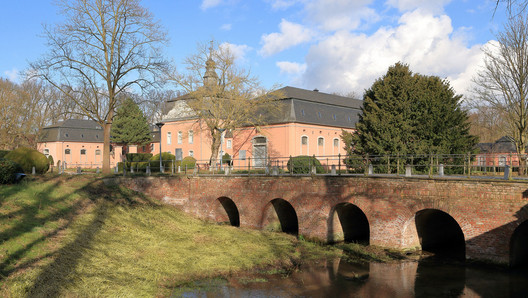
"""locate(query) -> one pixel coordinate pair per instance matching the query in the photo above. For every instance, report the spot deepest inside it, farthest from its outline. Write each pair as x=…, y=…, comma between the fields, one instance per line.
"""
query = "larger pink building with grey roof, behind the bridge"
x=310, y=124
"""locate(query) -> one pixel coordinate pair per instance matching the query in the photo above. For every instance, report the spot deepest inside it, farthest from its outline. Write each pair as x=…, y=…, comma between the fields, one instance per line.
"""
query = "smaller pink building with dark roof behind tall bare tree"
x=79, y=143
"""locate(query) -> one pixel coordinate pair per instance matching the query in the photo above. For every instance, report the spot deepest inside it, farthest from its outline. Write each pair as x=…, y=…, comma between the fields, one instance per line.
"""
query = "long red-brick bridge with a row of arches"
x=473, y=219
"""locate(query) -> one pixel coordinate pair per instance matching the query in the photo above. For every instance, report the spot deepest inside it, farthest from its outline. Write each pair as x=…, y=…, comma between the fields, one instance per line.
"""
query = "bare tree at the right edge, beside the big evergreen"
x=502, y=84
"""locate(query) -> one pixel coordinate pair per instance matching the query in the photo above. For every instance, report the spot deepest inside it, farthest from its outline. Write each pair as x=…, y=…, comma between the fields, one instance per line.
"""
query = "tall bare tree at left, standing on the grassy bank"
x=103, y=48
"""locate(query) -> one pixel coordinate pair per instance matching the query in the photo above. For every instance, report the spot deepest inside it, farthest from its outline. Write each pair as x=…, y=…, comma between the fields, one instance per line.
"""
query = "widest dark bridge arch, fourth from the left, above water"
x=439, y=233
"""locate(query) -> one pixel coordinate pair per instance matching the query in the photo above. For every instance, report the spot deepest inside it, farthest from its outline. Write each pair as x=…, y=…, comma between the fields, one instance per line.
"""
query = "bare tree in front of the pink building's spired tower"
x=223, y=95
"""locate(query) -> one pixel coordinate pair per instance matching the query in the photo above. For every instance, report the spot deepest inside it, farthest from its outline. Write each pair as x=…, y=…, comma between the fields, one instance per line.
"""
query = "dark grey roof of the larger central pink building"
x=300, y=105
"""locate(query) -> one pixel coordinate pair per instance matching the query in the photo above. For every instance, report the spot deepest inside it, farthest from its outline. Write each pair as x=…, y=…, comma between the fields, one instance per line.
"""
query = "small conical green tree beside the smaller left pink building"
x=130, y=126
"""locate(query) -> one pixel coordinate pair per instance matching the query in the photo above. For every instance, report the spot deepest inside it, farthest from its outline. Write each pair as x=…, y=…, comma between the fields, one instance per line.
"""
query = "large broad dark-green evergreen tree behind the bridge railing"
x=406, y=113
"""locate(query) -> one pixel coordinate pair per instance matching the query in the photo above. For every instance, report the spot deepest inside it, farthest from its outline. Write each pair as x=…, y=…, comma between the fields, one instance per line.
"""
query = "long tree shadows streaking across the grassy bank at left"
x=42, y=215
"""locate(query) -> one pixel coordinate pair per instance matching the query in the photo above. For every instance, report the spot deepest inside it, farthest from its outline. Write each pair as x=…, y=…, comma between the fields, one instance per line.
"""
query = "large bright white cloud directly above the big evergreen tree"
x=347, y=62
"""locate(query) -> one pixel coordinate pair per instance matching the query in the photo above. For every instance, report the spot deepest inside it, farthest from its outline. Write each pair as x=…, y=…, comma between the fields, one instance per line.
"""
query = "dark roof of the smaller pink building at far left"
x=75, y=130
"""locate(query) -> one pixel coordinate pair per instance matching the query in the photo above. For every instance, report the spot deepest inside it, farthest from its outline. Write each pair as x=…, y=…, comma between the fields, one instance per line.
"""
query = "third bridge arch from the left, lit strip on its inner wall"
x=348, y=223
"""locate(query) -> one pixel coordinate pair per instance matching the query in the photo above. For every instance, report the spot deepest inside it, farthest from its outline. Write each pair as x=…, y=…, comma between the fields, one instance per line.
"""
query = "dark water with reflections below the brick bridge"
x=341, y=279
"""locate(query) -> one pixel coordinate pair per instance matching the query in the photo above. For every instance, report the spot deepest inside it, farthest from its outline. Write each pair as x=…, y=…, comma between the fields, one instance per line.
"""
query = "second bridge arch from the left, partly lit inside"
x=279, y=215
